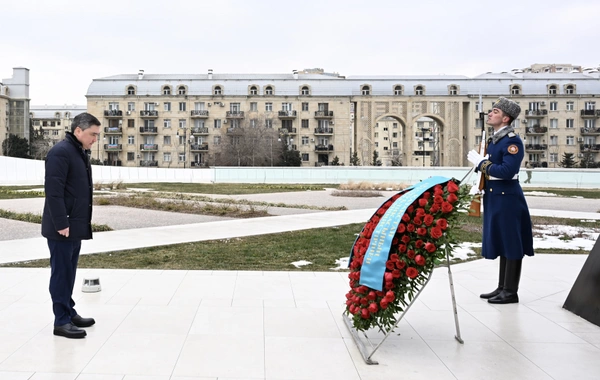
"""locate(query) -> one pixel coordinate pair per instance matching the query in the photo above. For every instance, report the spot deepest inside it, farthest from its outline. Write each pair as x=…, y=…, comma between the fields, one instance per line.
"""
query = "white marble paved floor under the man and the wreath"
x=184, y=325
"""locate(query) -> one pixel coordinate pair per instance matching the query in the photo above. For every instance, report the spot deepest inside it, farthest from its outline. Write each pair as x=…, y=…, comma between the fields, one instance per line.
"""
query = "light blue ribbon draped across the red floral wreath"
x=373, y=266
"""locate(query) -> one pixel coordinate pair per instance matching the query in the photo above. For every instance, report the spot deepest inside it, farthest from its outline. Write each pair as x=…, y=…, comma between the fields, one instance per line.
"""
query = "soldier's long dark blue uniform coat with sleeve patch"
x=506, y=220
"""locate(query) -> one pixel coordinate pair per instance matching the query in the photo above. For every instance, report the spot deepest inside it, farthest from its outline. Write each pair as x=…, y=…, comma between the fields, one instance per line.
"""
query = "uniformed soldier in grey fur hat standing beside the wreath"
x=507, y=231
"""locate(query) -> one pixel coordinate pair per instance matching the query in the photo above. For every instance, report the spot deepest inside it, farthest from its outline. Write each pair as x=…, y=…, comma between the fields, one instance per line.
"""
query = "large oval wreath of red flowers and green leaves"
x=421, y=240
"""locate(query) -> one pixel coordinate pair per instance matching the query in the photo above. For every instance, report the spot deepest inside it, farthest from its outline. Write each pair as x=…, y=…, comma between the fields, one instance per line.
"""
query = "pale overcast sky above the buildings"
x=67, y=43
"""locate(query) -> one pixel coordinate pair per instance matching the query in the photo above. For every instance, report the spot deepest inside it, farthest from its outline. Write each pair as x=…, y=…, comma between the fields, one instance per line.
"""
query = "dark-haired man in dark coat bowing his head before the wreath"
x=67, y=218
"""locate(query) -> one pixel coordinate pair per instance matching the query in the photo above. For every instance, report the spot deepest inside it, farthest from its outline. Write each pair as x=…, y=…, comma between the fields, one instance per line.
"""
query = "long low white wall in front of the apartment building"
x=16, y=171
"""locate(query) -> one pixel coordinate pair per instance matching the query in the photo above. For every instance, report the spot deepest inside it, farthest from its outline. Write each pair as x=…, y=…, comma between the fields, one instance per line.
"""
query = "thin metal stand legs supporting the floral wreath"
x=364, y=350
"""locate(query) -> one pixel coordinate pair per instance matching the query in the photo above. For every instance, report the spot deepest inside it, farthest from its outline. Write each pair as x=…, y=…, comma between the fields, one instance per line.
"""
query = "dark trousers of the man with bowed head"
x=63, y=261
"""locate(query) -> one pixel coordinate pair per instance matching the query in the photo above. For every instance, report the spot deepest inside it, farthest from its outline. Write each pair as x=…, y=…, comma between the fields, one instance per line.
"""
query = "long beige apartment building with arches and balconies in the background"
x=182, y=120
